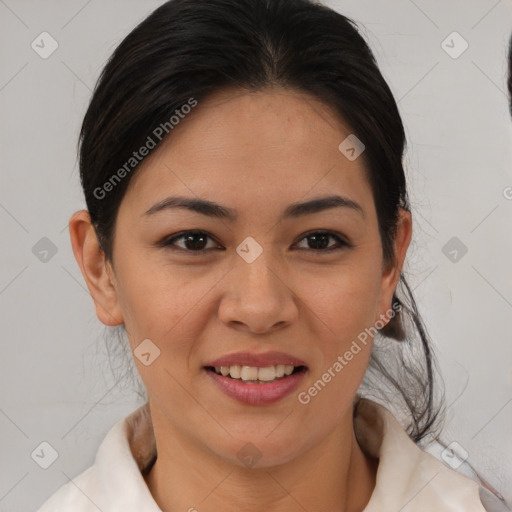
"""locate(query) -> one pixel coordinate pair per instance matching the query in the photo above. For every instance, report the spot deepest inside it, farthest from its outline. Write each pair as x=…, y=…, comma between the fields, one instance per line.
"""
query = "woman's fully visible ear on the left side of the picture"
x=97, y=272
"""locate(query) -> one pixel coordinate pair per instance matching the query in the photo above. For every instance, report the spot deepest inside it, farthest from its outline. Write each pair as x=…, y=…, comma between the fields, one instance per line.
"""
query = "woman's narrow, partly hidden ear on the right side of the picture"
x=391, y=272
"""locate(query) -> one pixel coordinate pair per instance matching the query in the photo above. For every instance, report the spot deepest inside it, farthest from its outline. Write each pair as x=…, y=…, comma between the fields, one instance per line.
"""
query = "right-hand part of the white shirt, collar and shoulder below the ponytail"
x=410, y=478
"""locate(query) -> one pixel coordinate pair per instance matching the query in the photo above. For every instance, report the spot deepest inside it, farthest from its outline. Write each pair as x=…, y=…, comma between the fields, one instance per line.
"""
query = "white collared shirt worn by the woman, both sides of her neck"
x=408, y=478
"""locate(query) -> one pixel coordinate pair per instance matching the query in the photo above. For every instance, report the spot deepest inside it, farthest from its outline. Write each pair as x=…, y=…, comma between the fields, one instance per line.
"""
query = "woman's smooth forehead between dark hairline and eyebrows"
x=271, y=144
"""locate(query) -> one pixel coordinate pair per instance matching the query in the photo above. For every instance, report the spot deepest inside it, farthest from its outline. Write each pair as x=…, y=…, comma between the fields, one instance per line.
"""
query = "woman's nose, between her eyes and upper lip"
x=257, y=297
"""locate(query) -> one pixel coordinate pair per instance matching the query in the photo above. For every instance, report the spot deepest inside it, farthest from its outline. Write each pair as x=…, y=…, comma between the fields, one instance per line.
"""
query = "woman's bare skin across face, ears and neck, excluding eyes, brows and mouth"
x=256, y=152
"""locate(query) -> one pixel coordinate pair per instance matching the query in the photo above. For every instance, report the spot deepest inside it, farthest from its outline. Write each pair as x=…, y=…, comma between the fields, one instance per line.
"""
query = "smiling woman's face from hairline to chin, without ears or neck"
x=256, y=283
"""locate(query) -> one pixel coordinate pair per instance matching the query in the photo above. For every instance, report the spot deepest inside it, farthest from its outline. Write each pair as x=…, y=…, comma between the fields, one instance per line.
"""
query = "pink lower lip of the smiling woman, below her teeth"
x=257, y=394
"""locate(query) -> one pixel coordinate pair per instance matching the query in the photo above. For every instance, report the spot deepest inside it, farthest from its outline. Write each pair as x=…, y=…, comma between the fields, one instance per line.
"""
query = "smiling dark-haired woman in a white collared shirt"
x=247, y=222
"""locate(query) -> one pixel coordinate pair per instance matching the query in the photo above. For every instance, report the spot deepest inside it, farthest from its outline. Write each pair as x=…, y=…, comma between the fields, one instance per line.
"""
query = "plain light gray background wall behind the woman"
x=56, y=384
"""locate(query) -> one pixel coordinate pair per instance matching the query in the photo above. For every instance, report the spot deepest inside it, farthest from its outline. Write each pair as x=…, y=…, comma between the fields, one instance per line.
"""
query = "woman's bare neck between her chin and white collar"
x=334, y=475
